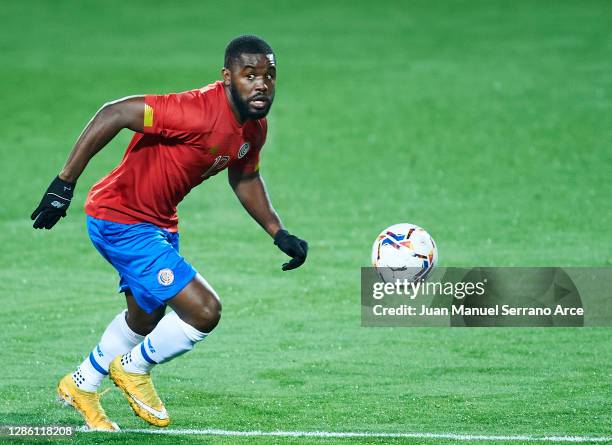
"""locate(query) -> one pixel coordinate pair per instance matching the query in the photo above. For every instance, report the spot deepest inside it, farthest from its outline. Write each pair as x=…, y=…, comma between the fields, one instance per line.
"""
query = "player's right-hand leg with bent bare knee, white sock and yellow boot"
x=197, y=310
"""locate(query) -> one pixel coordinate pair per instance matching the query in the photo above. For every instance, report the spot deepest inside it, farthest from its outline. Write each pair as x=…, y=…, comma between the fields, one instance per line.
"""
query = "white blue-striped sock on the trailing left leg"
x=117, y=339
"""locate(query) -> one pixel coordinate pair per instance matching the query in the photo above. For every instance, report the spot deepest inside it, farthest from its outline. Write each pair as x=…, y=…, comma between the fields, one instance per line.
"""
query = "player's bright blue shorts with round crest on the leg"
x=146, y=257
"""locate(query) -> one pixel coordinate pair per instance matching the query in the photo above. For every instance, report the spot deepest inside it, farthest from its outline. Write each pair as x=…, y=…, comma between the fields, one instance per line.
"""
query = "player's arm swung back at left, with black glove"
x=101, y=129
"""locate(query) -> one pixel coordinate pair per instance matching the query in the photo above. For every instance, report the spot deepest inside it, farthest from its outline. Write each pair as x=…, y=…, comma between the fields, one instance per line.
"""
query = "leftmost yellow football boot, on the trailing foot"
x=86, y=403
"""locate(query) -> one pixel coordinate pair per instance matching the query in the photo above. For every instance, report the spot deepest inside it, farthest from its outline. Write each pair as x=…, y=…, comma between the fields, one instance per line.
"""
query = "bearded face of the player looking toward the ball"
x=252, y=82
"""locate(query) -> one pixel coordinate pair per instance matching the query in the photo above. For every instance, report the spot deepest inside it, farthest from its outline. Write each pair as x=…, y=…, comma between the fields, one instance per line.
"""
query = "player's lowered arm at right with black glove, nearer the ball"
x=251, y=192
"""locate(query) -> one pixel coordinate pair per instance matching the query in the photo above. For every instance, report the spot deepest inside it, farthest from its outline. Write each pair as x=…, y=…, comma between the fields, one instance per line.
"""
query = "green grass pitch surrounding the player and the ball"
x=486, y=122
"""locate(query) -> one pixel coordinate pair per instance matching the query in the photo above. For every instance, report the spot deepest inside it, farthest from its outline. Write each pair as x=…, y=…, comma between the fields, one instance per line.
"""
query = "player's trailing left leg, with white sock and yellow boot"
x=80, y=388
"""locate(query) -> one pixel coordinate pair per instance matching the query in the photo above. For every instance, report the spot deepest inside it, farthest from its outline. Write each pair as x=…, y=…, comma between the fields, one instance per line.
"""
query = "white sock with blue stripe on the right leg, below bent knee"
x=170, y=338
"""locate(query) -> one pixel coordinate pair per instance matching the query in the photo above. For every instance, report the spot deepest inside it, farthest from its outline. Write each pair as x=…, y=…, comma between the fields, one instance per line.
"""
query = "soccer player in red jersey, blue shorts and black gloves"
x=180, y=140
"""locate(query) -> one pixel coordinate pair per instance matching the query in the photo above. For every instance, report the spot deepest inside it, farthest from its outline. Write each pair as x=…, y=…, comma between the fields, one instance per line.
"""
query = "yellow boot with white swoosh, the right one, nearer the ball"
x=140, y=393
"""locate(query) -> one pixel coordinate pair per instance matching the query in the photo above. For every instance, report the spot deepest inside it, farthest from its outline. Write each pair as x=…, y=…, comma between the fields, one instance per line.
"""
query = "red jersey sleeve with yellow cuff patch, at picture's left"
x=175, y=116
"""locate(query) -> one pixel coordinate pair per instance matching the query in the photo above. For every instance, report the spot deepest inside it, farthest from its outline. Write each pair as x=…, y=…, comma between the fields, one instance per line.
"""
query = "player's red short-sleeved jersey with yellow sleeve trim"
x=188, y=137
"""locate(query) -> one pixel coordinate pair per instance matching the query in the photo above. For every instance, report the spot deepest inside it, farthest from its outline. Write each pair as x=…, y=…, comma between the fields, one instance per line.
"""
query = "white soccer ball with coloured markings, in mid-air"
x=404, y=252
